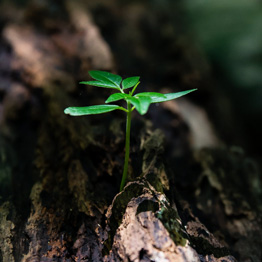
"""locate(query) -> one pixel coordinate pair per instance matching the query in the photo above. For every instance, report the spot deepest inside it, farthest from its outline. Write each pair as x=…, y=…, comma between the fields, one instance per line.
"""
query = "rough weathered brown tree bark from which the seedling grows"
x=60, y=175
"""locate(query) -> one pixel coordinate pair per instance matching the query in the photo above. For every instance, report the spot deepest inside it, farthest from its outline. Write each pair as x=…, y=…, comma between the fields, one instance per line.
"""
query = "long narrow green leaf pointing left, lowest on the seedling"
x=91, y=110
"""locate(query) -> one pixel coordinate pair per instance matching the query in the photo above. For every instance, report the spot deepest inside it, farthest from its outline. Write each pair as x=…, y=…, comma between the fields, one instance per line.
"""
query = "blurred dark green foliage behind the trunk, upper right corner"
x=230, y=33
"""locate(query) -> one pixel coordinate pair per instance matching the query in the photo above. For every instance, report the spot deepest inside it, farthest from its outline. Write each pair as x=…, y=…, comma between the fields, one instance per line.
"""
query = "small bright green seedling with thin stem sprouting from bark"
x=139, y=101
